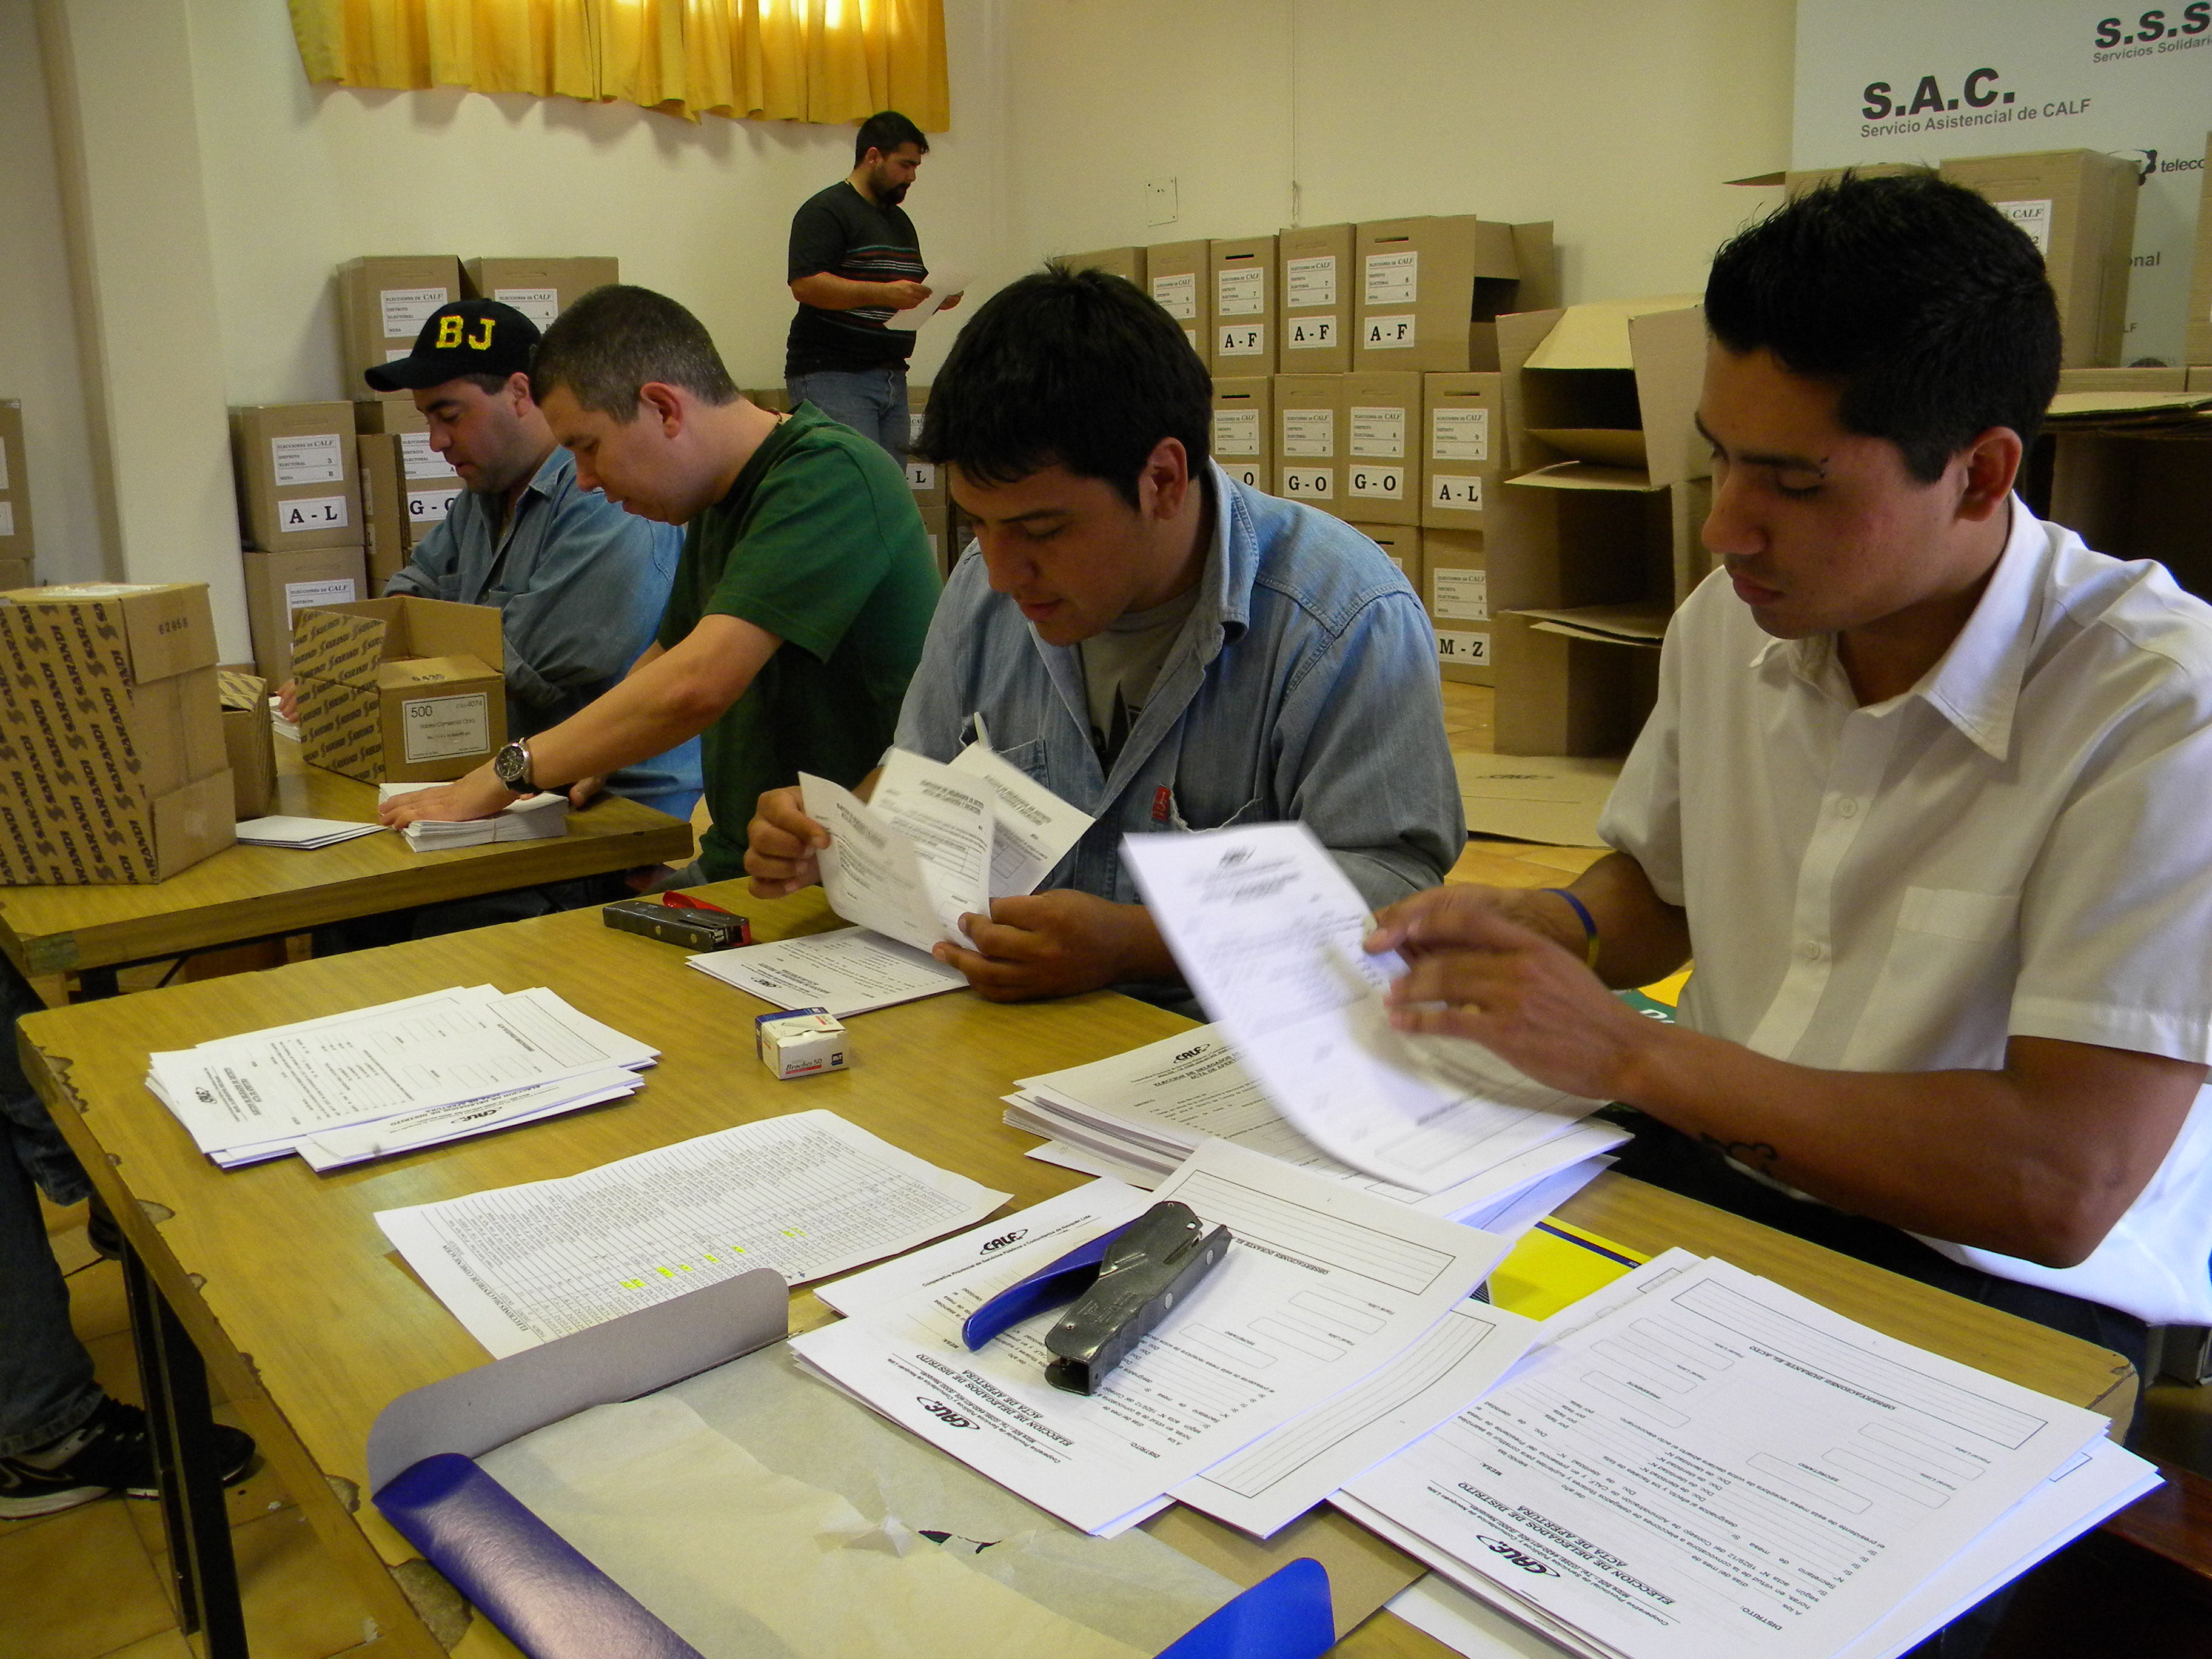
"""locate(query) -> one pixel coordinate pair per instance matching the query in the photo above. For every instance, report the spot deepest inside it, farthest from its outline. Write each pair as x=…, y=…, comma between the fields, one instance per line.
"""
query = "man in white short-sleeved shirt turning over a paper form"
x=1923, y=797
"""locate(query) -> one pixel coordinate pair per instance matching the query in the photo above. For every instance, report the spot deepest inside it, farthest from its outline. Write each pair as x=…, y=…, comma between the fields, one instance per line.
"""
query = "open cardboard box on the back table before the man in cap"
x=399, y=691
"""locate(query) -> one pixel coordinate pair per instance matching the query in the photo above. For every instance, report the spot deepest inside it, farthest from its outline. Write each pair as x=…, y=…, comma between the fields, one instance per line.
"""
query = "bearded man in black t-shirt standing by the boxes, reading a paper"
x=855, y=264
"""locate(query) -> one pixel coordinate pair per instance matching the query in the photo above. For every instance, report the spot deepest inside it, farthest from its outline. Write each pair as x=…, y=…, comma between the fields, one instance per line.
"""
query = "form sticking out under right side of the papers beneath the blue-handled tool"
x=1284, y=1474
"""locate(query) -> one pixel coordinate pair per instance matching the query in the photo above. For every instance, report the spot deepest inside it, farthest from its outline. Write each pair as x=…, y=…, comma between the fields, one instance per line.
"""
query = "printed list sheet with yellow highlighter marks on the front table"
x=808, y=1196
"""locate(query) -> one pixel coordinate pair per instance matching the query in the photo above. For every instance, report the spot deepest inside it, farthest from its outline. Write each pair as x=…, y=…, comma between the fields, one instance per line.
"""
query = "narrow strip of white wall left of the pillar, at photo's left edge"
x=39, y=326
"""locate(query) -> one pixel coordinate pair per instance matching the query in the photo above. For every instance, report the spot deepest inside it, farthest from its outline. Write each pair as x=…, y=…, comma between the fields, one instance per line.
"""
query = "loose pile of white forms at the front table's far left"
x=395, y=1078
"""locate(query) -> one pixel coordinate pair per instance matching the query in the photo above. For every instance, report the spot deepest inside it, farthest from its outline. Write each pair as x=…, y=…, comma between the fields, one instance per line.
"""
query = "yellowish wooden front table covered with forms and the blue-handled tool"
x=313, y=1324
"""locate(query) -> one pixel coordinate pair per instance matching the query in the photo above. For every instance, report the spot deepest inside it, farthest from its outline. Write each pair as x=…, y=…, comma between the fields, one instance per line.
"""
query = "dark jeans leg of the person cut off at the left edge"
x=45, y=1375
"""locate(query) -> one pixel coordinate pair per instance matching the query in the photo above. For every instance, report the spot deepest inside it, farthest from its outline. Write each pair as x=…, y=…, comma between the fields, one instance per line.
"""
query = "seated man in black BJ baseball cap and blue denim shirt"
x=581, y=585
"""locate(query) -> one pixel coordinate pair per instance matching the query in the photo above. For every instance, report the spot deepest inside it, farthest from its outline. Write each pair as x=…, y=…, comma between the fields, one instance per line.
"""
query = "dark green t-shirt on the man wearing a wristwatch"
x=820, y=545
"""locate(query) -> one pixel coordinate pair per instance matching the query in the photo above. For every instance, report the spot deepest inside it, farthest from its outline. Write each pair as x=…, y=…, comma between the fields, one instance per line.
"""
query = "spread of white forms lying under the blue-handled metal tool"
x=1337, y=1331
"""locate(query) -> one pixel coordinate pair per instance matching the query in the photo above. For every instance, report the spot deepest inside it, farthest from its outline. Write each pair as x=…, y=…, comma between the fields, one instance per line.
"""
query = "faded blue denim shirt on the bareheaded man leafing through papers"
x=1302, y=689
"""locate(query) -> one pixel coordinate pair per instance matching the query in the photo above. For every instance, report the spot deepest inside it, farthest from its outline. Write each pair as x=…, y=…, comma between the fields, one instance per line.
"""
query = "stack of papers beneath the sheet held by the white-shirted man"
x=1142, y=1114
